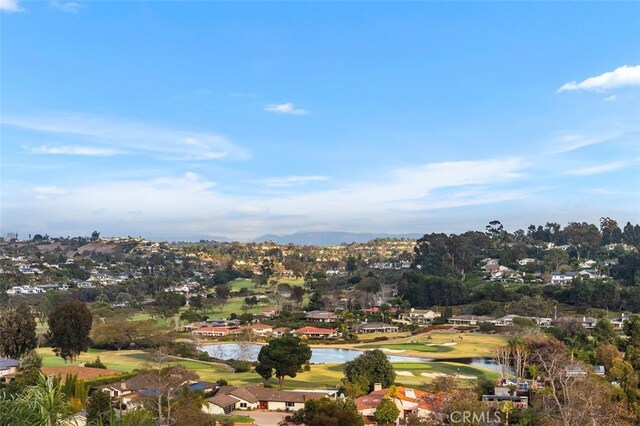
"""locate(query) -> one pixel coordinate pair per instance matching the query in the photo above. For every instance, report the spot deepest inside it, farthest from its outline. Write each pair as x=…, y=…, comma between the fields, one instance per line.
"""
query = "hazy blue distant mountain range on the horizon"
x=328, y=238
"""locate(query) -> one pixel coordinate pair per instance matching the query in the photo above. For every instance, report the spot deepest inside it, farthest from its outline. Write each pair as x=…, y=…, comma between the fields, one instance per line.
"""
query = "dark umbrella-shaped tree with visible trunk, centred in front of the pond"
x=282, y=357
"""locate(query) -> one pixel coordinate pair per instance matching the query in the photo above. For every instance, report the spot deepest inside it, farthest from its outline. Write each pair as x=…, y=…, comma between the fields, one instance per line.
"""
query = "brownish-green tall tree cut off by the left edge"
x=17, y=332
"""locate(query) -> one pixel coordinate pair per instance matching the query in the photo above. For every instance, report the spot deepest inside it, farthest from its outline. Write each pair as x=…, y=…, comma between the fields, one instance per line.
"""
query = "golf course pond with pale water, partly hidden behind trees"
x=249, y=352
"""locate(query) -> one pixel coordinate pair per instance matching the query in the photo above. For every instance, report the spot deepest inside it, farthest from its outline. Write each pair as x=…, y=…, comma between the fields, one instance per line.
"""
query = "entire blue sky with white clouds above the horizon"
x=193, y=119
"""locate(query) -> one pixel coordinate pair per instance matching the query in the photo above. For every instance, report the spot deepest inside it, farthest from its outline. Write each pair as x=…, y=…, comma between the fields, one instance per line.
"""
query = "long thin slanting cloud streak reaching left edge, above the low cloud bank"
x=120, y=135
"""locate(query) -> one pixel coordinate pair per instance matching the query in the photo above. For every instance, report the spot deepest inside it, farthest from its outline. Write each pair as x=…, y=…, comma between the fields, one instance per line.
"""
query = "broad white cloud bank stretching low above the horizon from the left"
x=190, y=203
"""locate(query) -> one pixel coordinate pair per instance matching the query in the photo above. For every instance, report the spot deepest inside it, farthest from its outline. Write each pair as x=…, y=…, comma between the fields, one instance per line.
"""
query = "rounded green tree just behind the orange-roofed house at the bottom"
x=370, y=368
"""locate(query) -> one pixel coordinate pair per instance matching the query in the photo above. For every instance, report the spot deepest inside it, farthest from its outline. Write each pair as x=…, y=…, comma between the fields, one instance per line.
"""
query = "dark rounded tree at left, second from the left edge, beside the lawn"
x=69, y=327
